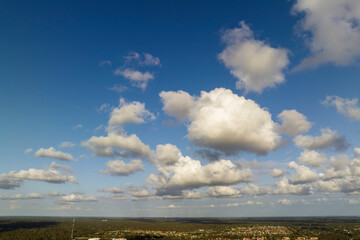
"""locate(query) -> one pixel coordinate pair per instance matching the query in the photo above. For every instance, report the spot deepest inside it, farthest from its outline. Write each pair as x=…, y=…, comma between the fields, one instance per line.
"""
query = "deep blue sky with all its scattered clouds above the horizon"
x=181, y=108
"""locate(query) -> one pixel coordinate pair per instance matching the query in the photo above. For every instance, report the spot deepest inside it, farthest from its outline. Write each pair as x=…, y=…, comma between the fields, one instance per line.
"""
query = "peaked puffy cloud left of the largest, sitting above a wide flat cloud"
x=126, y=113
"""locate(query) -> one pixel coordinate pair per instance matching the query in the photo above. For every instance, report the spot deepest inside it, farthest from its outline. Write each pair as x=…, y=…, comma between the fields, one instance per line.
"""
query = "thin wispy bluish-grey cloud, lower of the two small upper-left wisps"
x=137, y=79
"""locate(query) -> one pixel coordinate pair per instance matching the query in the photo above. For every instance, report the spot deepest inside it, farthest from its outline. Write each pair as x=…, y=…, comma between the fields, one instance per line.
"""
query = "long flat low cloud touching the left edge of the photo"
x=55, y=173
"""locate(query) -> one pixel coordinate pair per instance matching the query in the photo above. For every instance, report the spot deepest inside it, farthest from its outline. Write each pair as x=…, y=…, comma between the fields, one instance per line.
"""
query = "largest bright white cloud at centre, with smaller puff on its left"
x=224, y=121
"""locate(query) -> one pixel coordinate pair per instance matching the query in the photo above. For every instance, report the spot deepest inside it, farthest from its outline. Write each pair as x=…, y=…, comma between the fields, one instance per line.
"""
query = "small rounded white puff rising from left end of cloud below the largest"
x=167, y=154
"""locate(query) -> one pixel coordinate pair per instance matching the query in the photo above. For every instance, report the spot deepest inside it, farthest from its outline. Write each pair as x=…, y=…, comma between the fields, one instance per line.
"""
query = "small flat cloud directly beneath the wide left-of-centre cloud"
x=120, y=168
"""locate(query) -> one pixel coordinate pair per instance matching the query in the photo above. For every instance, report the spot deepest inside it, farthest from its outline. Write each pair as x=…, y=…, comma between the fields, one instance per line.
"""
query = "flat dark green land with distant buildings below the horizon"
x=44, y=228
